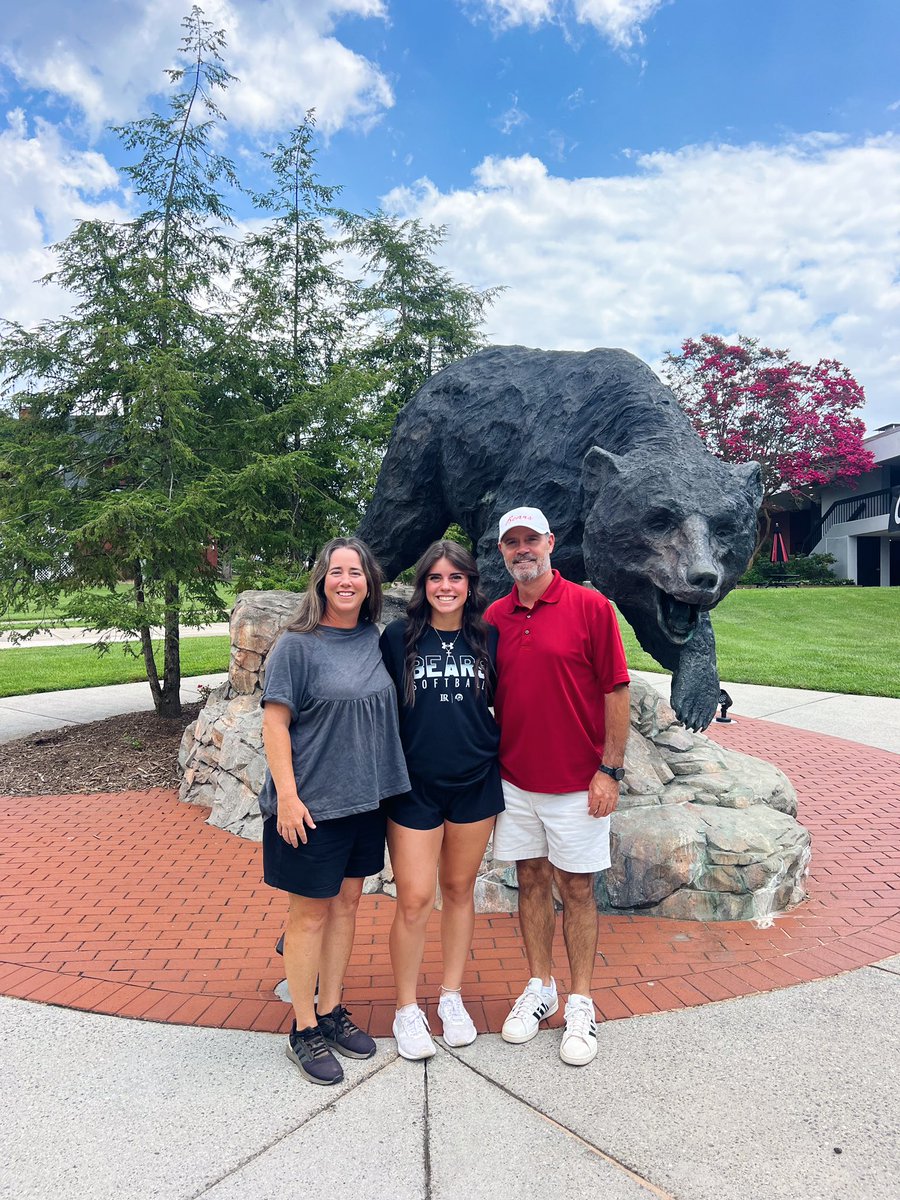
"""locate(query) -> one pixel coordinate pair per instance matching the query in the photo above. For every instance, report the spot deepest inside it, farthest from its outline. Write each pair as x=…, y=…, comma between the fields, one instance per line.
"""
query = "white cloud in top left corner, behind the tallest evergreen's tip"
x=107, y=59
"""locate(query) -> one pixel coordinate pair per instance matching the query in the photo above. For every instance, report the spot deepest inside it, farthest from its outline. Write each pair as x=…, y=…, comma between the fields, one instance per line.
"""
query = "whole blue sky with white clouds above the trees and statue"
x=634, y=172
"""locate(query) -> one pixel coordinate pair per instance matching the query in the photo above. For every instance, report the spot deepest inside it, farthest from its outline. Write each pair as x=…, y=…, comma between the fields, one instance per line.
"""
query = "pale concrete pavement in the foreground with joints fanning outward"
x=790, y=1095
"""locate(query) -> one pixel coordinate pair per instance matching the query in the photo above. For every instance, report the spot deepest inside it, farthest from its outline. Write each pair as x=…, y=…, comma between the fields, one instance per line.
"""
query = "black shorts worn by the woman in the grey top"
x=350, y=848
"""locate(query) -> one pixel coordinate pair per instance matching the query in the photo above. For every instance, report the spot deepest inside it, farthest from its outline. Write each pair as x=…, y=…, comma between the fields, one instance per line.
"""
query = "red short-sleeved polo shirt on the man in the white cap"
x=555, y=665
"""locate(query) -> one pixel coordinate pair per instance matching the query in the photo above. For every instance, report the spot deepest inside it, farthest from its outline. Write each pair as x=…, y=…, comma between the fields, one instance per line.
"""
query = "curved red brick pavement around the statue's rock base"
x=133, y=905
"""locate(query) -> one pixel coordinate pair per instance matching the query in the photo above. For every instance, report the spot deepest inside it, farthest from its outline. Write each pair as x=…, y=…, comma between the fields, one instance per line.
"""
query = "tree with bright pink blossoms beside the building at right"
x=752, y=404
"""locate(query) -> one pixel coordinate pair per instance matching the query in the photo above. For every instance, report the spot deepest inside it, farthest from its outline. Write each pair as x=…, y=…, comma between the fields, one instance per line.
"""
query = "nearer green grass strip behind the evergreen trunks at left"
x=25, y=673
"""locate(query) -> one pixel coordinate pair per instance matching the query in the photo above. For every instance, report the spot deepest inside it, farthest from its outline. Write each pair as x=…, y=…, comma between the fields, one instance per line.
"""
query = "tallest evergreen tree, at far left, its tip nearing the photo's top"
x=110, y=469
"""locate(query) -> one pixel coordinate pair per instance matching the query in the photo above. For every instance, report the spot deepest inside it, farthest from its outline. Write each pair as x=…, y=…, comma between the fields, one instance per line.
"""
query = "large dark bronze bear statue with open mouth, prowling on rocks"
x=638, y=505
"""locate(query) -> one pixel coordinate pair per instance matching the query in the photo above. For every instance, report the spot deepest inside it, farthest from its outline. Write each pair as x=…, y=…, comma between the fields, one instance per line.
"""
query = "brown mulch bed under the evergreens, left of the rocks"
x=122, y=754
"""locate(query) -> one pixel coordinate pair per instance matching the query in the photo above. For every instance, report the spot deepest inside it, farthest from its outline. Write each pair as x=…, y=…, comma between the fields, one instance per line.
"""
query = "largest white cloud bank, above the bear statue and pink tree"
x=796, y=244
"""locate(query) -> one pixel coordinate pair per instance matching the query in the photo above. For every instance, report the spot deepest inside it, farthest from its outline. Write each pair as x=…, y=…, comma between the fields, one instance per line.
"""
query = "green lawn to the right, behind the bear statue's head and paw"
x=844, y=640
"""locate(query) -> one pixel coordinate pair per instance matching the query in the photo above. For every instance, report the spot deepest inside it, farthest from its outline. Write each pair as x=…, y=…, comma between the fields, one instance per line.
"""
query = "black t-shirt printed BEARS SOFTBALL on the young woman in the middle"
x=449, y=736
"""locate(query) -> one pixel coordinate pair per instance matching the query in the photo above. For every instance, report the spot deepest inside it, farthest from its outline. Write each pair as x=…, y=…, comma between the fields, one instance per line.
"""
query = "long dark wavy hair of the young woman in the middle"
x=475, y=627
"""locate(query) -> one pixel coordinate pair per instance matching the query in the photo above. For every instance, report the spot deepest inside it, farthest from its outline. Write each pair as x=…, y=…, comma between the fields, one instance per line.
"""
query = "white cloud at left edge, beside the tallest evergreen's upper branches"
x=46, y=188
